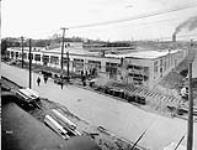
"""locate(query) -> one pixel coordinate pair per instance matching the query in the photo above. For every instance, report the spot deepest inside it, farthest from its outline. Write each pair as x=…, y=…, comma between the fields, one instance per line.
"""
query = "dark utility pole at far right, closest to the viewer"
x=191, y=55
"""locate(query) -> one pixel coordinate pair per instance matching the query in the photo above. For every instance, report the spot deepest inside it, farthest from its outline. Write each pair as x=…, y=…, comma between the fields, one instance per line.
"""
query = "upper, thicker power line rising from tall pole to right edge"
x=152, y=14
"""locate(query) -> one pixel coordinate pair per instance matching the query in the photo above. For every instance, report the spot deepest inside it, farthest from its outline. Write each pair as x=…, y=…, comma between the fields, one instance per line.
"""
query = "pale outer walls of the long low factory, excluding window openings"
x=171, y=59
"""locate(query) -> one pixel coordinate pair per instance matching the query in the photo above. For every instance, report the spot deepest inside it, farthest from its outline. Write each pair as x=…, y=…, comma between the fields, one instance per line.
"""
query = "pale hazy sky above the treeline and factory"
x=44, y=18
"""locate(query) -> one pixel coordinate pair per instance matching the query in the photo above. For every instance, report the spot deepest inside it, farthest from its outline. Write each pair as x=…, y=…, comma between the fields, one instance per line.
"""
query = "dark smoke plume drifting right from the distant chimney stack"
x=189, y=24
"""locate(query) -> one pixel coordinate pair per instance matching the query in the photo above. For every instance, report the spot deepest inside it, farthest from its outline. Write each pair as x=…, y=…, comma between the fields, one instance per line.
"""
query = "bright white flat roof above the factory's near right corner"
x=142, y=54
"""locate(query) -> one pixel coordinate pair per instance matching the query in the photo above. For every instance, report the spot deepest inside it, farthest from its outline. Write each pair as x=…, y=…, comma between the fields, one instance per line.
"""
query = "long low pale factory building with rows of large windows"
x=141, y=67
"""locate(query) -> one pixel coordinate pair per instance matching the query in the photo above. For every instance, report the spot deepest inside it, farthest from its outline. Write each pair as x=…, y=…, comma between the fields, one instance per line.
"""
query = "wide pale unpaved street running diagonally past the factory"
x=119, y=117
